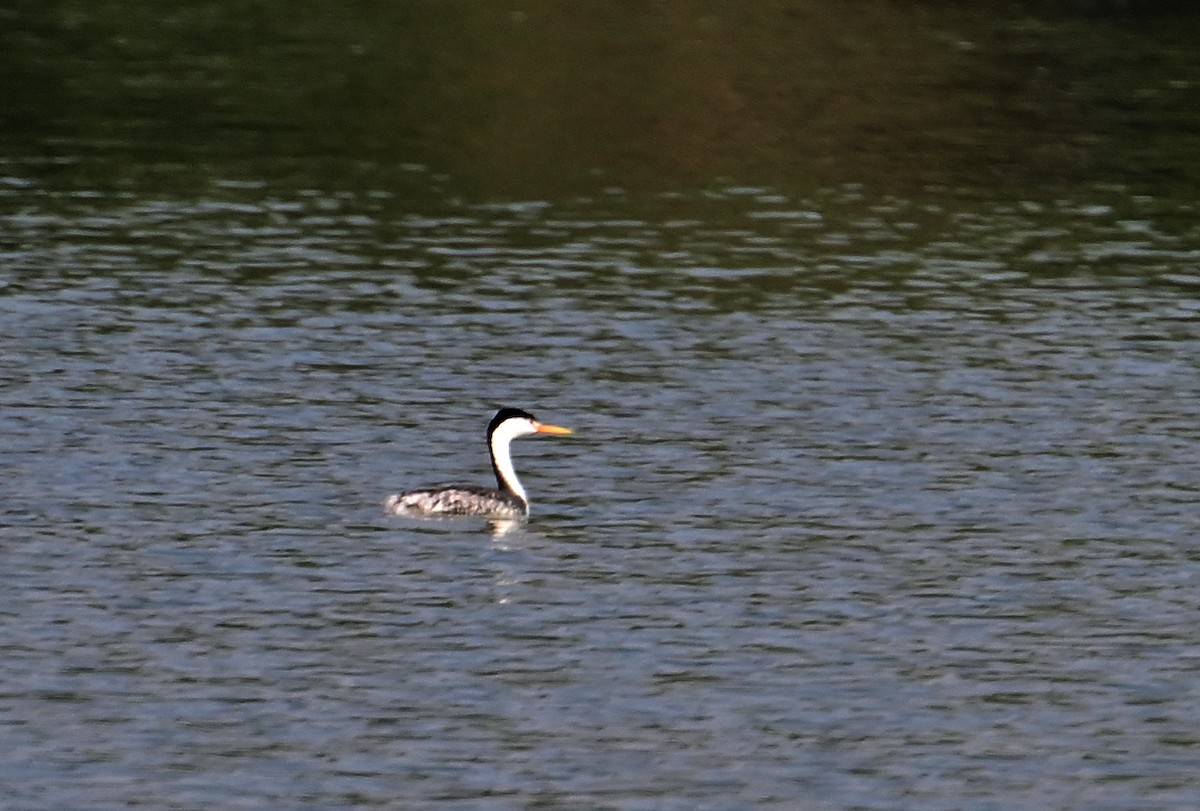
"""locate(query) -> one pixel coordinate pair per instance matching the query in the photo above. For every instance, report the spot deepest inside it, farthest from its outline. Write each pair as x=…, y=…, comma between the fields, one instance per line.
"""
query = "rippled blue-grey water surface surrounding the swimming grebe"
x=872, y=504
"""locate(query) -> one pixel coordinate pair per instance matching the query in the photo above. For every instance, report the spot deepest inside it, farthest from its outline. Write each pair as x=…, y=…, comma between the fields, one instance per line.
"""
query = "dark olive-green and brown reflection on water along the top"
x=531, y=99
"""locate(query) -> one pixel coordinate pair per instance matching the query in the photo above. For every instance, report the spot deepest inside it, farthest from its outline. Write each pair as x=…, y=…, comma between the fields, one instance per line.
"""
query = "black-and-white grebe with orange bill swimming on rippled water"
x=508, y=502
